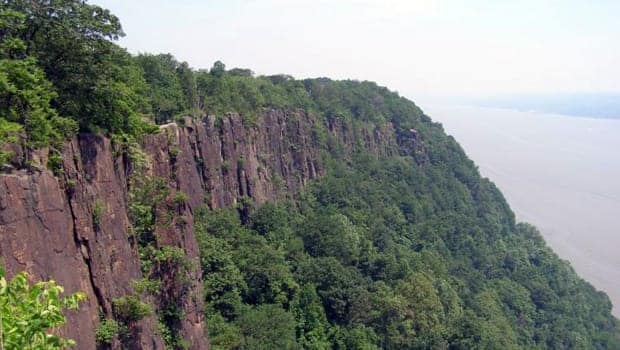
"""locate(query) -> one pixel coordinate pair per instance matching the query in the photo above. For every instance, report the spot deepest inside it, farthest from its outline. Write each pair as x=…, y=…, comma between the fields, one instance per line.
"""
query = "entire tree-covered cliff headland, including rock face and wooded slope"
x=214, y=208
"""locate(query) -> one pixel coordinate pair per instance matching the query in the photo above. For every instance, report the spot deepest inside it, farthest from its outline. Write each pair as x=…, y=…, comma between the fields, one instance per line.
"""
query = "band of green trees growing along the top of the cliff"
x=60, y=60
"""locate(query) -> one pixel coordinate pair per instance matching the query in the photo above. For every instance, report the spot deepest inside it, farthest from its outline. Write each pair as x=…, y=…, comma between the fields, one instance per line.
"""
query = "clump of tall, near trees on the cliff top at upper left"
x=60, y=71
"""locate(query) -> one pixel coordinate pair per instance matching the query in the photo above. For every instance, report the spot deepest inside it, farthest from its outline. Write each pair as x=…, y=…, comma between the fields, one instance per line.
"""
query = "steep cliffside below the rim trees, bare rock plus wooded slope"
x=415, y=212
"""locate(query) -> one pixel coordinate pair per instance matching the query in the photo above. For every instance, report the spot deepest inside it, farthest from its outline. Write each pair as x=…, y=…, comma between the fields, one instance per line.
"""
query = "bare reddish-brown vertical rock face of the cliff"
x=74, y=227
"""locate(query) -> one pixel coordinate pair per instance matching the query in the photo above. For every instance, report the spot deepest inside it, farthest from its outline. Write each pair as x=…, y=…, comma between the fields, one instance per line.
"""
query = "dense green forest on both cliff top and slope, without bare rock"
x=412, y=251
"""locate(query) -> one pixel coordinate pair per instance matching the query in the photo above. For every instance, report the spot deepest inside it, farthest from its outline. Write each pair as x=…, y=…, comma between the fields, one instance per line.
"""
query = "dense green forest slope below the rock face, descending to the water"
x=413, y=251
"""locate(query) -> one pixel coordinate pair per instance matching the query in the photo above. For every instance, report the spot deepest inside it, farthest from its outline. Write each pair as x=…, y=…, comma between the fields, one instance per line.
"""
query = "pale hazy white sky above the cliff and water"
x=417, y=47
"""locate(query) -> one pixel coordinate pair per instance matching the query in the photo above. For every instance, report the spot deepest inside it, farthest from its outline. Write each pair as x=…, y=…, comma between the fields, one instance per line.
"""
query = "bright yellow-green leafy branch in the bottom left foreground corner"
x=29, y=313
